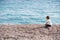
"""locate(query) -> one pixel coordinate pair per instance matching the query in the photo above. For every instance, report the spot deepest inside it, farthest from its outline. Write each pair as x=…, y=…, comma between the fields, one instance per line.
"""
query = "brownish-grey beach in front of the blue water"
x=29, y=32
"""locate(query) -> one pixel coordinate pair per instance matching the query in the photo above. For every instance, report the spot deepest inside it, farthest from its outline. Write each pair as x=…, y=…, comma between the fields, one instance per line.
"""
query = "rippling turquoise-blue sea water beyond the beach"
x=29, y=11
